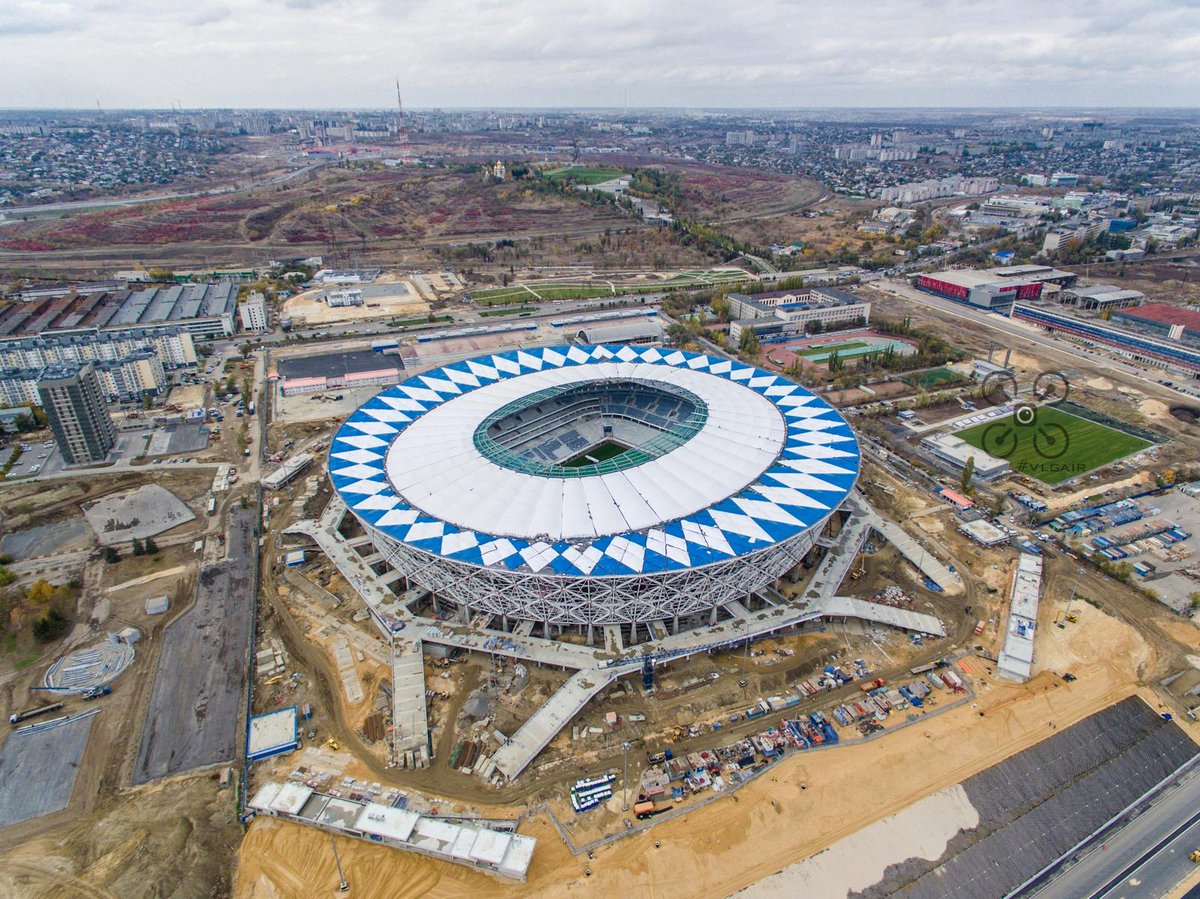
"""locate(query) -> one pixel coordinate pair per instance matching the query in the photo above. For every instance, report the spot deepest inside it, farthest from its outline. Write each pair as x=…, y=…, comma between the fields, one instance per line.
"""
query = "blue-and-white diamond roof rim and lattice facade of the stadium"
x=763, y=531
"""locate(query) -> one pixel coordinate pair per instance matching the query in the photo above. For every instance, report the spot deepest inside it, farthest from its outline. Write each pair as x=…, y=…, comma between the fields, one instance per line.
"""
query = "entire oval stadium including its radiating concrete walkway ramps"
x=597, y=508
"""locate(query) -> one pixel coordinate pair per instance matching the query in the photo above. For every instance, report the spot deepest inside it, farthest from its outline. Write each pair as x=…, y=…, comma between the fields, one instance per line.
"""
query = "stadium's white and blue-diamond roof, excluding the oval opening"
x=772, y=462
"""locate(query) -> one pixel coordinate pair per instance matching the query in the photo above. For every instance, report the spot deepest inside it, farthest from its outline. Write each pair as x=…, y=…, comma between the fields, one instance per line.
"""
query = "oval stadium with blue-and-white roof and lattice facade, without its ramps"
x=595, y=484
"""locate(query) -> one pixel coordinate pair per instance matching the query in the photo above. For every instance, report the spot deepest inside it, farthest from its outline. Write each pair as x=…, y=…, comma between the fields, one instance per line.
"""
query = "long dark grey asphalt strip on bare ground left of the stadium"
x=195, y=714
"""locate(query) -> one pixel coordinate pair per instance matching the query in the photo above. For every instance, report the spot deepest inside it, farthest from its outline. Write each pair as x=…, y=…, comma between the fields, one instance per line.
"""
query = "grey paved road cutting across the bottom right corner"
x=1147, y=858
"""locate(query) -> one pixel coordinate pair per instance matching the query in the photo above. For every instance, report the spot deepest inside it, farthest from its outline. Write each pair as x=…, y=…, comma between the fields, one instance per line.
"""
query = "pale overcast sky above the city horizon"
x=533, y=53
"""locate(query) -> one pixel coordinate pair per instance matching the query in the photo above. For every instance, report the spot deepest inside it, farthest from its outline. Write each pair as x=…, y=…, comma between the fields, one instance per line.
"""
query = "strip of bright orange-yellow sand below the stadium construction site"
x=767, y=825
